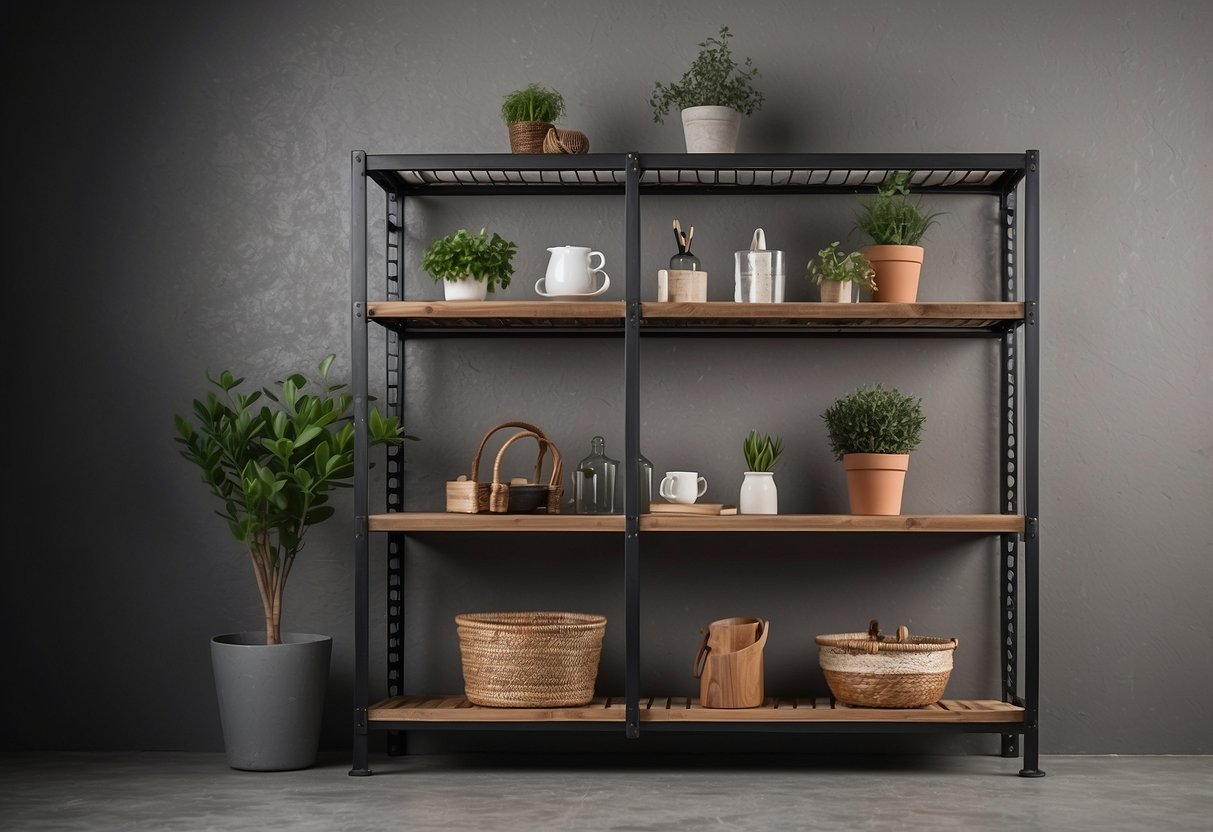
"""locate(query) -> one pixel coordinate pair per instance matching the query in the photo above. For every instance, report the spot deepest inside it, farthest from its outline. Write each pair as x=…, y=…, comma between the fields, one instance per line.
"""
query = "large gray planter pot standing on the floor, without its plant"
x=271, y=698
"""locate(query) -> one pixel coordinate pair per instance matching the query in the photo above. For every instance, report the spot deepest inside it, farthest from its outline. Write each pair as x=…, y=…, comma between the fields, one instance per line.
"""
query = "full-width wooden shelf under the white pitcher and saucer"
x=716, y=315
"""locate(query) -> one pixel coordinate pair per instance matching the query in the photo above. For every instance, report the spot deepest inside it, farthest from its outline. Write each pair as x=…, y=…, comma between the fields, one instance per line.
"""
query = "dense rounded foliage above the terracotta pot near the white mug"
x=875, y=420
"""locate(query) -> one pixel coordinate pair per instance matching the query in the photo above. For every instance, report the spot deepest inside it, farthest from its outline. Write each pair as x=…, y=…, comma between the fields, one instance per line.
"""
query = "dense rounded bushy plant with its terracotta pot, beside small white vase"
x=873, y=431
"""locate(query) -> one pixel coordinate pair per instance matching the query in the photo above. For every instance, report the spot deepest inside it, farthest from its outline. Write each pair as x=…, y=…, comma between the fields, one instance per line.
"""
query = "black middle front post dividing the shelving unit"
x=633, y=445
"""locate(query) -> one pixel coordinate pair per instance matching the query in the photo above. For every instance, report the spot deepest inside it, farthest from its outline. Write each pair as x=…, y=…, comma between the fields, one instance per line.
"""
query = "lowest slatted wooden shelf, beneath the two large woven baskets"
x=681, y=709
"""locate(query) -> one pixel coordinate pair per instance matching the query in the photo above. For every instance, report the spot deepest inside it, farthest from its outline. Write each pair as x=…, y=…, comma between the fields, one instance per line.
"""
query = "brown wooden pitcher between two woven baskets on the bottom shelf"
x=730, y=664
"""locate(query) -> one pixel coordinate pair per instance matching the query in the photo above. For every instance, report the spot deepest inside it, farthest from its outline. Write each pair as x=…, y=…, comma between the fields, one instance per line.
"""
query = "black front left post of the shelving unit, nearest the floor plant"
x=358, y=358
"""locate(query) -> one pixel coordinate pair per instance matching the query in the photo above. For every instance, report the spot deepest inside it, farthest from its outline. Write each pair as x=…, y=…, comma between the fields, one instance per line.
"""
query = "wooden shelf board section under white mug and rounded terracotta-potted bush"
x=910, y=523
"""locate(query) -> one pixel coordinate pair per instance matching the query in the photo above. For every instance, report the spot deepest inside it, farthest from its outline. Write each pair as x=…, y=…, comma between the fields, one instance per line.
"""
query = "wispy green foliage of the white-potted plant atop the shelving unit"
x=715, y=79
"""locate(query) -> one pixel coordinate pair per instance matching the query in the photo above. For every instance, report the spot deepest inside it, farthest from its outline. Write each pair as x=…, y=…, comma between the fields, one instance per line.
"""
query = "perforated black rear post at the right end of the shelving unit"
x=1009, y=485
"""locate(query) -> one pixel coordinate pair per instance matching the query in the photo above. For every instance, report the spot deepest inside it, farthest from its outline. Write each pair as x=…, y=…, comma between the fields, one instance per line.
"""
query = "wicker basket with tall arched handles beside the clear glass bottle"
x=468, y=495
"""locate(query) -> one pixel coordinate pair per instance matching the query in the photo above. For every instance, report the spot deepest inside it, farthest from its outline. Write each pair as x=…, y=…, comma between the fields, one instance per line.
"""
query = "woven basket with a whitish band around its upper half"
x=885, y=671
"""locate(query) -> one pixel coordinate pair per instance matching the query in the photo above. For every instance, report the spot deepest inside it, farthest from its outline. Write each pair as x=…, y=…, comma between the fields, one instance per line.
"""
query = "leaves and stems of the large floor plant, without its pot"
x=272, y=466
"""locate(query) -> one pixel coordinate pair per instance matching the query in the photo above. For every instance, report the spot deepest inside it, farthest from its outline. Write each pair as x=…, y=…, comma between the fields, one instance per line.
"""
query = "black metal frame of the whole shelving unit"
x=633, y=175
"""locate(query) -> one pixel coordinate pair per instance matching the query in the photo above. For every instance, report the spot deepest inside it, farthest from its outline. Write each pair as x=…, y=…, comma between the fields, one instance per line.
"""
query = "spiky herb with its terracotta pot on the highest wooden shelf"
x=897, y=225
